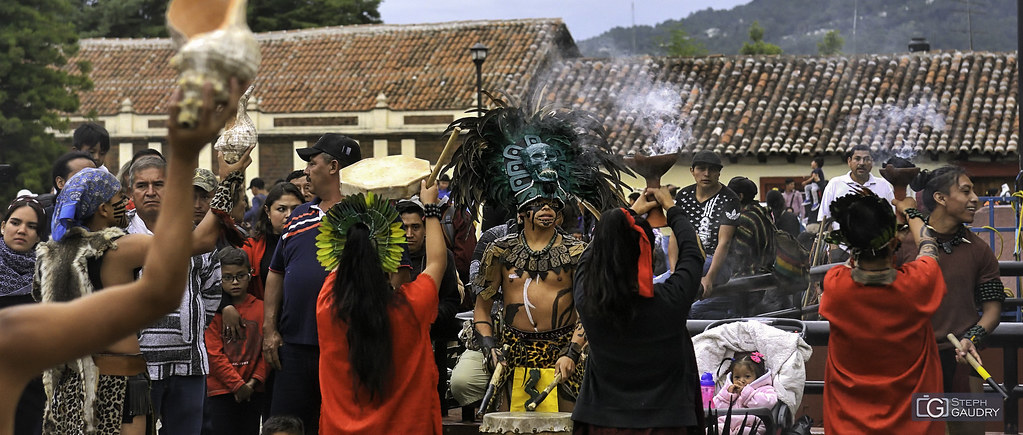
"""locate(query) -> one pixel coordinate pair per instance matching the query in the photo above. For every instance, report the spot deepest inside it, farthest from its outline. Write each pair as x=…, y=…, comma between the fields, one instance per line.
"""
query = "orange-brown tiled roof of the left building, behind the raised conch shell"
x=344, y=69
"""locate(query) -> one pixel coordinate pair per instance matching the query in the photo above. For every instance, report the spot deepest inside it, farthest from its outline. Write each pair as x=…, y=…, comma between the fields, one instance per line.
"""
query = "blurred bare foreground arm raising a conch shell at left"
x=36, y=337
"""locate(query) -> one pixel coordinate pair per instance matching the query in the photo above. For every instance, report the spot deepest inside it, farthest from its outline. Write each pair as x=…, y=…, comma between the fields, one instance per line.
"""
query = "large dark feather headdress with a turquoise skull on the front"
x=512, y=157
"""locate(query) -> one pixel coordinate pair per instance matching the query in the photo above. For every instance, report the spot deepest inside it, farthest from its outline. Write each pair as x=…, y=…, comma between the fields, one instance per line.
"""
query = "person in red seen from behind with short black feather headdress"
x=881, y=350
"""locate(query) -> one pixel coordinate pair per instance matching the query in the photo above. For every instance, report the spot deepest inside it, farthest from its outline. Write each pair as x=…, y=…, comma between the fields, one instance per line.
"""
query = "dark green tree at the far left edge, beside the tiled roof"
x=38, y=89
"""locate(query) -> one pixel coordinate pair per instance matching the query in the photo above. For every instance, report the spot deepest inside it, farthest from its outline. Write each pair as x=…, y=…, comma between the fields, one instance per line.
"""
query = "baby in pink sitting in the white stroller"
x=749, y=385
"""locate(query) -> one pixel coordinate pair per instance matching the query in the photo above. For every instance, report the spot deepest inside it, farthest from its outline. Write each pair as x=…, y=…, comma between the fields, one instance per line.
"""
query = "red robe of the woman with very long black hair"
x=411, y=404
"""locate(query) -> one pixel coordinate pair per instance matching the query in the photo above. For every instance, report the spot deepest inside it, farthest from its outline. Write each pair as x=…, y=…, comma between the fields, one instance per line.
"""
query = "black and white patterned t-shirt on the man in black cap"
x=707, y=217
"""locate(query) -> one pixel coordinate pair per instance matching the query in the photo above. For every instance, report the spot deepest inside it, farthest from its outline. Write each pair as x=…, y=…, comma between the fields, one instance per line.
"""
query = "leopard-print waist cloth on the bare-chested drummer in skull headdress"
x=543, y=351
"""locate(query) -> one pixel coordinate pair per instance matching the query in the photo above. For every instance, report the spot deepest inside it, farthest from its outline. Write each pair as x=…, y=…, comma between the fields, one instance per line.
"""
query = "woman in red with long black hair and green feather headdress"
x=377, y=367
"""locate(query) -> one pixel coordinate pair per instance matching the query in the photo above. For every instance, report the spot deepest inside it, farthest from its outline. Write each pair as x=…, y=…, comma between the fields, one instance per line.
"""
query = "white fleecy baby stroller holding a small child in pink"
x=781, y=340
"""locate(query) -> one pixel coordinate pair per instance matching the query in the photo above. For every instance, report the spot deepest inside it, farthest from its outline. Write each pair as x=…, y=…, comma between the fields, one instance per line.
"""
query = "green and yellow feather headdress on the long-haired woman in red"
x=371, y=210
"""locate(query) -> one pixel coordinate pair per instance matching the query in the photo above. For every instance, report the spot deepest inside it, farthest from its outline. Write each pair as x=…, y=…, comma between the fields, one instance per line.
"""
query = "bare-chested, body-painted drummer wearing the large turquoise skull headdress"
x=535, y=162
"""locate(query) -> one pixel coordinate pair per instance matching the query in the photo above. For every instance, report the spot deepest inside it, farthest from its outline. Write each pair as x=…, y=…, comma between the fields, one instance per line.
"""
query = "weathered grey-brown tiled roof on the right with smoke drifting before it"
x=743, y=106
